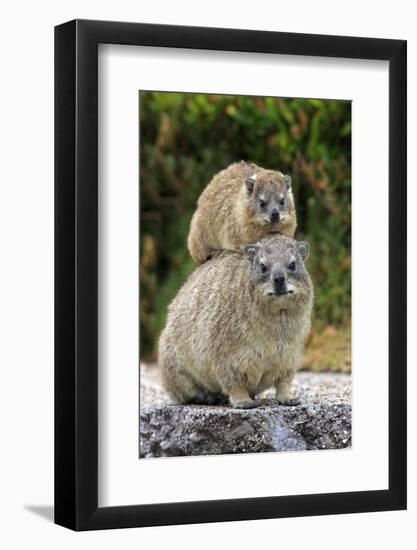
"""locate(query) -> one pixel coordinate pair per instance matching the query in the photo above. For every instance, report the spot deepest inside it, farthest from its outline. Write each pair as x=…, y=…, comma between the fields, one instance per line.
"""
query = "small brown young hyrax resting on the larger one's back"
x=241, y=204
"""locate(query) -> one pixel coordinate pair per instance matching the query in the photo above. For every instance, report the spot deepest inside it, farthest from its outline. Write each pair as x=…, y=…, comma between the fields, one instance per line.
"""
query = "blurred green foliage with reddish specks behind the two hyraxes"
x=186, y=138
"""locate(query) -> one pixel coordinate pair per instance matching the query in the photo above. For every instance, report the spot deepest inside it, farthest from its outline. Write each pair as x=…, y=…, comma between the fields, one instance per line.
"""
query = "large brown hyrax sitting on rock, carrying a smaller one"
x=238, y=325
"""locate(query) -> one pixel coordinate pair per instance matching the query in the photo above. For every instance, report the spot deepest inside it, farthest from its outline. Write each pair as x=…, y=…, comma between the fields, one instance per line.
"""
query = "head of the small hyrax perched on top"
x=270, y=197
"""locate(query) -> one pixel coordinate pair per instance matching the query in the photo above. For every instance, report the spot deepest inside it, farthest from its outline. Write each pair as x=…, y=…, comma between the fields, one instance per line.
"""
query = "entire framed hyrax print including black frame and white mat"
x=230, y=275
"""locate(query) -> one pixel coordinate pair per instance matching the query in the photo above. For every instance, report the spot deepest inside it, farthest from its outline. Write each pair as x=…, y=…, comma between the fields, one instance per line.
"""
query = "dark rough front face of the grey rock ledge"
x=174, y=430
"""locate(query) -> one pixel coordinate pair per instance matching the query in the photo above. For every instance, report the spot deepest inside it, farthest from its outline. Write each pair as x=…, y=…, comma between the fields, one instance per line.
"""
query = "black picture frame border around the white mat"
x=76, y=272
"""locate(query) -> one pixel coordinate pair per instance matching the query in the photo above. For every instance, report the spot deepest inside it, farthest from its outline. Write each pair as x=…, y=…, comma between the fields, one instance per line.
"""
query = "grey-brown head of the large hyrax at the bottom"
x=277, y=268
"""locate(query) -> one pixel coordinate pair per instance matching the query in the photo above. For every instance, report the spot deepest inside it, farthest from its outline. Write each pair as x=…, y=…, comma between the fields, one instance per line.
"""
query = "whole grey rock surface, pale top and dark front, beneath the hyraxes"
x=321, y=421
